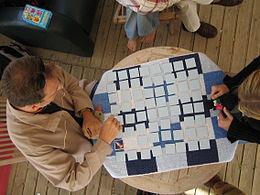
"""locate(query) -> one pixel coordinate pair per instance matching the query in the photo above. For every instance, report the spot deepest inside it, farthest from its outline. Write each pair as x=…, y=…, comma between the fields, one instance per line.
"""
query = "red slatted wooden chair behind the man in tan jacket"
x=9, y=154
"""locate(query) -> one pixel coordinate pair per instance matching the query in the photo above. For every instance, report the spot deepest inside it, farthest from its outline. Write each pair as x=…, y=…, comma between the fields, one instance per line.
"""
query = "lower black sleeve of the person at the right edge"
x=242, y=131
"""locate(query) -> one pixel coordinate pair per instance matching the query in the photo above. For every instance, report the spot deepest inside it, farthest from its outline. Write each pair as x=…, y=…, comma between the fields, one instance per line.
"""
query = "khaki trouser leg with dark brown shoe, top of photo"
x=190, y=19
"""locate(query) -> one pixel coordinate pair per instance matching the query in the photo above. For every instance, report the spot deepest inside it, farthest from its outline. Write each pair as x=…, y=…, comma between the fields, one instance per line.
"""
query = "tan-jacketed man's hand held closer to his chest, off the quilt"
x=91, y=125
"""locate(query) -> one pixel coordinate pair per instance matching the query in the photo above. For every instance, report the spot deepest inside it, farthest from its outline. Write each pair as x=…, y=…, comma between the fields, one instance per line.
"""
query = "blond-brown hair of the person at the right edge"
x=249, y=95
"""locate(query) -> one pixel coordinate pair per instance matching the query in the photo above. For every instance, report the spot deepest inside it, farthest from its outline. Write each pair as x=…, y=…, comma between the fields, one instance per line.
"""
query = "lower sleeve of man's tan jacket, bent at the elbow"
x=63, y=171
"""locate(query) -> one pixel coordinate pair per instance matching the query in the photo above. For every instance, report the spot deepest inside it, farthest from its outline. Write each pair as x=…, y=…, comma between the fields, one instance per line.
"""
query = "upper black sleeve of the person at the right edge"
x=232, y=82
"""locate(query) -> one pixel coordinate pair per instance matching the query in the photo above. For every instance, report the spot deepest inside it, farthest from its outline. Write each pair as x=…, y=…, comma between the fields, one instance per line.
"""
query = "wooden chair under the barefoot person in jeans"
x=167, y=15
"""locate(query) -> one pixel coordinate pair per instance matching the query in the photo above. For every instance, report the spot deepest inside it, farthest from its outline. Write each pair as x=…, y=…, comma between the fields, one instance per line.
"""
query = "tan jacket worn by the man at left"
x=54, y=143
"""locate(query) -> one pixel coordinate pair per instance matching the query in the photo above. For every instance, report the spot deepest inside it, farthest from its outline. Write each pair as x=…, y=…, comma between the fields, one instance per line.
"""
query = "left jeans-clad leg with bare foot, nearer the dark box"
x=131, y=29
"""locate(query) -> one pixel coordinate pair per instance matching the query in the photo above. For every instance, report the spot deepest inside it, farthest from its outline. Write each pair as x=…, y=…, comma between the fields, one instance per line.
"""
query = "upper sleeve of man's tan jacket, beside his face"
x=80, y=97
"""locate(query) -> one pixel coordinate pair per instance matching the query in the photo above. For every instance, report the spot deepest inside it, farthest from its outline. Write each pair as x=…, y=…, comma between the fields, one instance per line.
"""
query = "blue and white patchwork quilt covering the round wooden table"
x=167, y=124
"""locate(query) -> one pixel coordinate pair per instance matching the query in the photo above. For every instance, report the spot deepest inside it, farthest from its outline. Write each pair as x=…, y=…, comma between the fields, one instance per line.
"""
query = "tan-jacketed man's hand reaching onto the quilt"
x=110, y=129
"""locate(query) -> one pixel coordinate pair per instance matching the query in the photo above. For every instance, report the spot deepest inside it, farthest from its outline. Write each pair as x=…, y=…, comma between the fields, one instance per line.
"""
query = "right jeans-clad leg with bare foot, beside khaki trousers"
x=147, y=25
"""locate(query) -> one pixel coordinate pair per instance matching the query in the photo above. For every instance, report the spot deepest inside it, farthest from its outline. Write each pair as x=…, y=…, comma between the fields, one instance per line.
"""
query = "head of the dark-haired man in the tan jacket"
x=26, y=82
